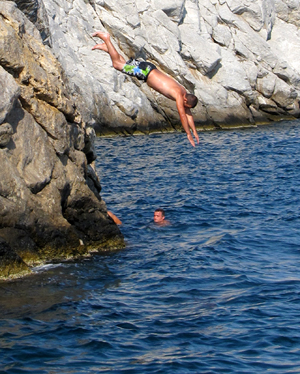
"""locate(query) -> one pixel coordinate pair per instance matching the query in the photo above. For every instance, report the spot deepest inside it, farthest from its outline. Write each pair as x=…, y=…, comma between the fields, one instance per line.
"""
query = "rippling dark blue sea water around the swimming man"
x=218, y=291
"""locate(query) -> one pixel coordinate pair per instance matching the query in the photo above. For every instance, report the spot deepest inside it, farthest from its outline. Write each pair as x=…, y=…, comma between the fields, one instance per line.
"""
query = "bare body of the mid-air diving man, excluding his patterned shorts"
x=161, y=83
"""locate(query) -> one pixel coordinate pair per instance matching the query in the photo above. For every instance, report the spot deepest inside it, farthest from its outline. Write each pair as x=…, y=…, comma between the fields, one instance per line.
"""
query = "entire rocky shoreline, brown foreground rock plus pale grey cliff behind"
x=239, y=57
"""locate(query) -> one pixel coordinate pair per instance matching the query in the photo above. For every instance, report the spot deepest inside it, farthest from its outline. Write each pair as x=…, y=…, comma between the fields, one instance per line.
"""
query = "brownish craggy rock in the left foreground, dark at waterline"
x=50, y=206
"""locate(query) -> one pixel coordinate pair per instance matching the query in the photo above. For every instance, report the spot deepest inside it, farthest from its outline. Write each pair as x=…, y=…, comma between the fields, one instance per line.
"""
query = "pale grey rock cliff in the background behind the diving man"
x=239, y=57
